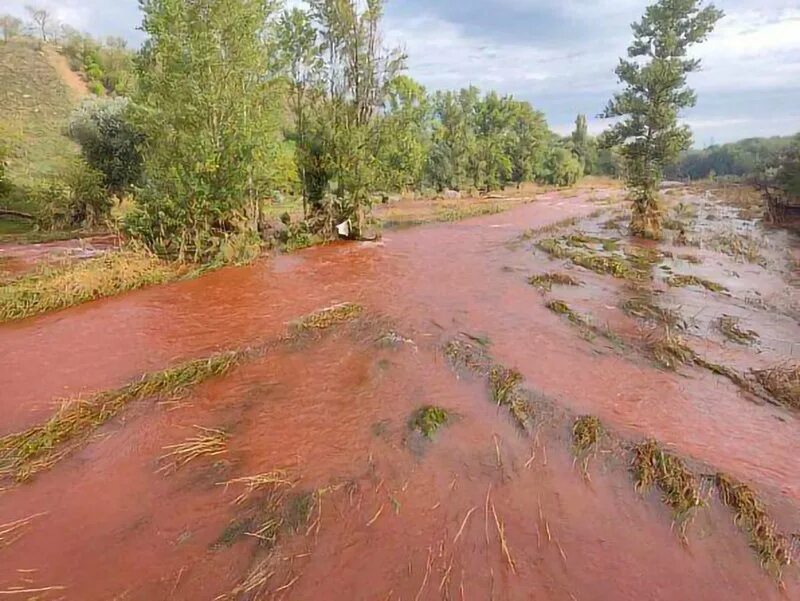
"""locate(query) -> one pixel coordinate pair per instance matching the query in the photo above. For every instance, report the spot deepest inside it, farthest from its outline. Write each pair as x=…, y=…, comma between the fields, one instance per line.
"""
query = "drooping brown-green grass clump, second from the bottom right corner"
x=679, y=487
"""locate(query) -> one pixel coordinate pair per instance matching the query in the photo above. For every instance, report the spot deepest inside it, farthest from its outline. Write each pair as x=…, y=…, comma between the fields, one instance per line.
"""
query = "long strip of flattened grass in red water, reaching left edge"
x=26, y=453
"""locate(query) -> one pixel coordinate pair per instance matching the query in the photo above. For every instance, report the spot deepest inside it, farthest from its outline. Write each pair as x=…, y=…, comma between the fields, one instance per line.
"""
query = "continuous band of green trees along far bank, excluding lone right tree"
x=231, y=102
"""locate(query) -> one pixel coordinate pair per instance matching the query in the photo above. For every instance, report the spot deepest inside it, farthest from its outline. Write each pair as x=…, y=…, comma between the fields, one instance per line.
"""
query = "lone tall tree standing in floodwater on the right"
x=655, y=91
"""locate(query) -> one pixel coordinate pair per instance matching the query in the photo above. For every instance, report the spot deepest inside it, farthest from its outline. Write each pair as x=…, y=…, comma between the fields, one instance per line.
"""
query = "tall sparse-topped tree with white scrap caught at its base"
x=357, y=69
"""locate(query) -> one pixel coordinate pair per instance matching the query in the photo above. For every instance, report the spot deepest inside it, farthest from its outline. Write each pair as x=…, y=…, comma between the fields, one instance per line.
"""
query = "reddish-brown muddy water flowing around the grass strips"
x=336, y=411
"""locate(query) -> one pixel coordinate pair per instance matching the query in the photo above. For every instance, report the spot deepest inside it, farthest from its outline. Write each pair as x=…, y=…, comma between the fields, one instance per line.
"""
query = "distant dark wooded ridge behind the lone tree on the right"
x=744, y=158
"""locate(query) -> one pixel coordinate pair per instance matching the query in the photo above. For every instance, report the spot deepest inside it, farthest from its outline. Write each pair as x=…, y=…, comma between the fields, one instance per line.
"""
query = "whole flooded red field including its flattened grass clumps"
x=522, y=405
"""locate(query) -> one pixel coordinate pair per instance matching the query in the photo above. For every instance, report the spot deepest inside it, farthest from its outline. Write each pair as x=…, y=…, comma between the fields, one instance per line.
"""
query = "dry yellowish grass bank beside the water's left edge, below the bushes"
x=52, y=288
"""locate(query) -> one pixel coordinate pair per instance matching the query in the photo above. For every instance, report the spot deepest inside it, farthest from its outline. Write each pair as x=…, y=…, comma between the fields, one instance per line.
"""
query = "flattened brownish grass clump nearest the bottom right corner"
x=772, y=547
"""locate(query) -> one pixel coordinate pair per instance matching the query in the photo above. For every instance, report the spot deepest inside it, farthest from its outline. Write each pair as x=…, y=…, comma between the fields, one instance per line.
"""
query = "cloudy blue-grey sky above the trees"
x=560, y=54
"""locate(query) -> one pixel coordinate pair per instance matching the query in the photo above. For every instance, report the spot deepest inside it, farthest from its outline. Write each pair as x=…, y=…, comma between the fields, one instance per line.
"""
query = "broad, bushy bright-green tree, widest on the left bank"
x=209, y=115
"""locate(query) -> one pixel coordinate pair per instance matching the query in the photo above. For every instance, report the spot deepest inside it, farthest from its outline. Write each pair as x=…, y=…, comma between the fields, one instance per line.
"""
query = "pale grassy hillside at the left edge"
x=35, y=105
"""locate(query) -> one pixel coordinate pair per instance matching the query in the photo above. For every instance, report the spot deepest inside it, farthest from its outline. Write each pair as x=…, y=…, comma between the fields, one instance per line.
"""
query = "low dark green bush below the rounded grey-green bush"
x=73, y=197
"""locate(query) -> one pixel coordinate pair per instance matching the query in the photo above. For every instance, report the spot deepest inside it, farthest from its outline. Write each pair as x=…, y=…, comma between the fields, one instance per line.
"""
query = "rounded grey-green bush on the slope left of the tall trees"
x=109, y=141
